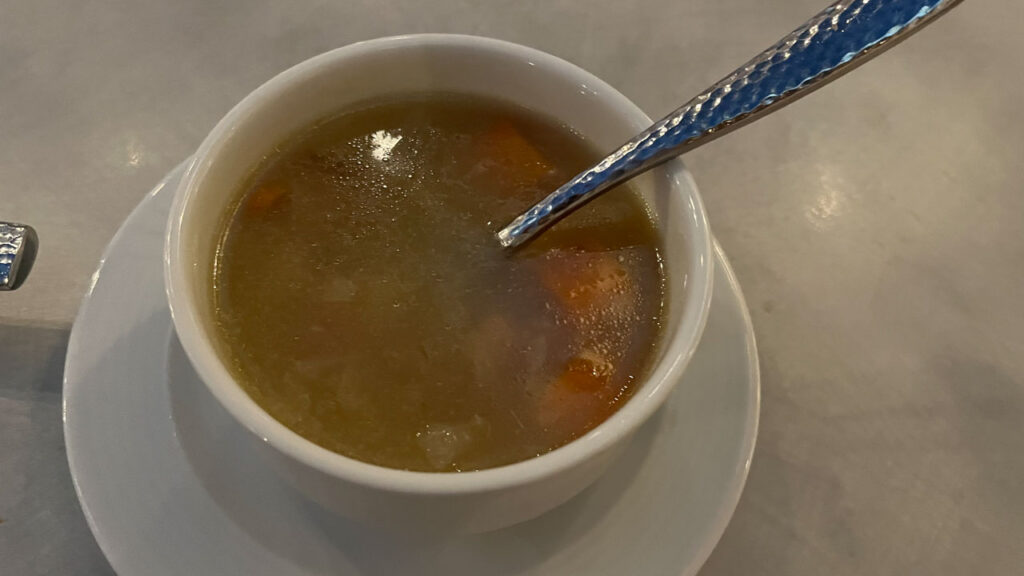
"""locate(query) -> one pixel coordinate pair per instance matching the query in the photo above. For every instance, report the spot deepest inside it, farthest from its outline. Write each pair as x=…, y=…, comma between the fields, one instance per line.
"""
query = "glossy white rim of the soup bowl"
x=216, y=377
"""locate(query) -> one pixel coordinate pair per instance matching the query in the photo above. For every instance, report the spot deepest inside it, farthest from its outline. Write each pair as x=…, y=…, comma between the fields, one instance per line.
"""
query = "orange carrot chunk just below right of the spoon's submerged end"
x=585, y=281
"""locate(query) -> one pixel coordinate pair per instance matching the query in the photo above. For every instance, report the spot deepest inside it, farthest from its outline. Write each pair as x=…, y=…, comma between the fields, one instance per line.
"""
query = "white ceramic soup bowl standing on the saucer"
x=330, y=84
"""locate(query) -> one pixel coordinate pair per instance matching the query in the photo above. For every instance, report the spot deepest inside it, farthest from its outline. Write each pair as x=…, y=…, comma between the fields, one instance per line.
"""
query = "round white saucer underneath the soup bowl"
x=168, y=488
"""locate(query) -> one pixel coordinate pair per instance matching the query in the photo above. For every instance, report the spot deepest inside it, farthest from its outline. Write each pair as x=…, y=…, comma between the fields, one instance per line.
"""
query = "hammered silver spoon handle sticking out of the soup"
x=845, y=35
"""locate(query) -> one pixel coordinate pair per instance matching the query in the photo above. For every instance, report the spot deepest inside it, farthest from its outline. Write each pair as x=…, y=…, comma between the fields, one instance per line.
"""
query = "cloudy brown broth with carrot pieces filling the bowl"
x=363, y=301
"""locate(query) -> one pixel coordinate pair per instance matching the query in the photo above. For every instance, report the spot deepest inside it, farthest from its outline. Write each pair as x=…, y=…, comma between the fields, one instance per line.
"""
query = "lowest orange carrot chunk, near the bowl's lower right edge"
x=580, y=397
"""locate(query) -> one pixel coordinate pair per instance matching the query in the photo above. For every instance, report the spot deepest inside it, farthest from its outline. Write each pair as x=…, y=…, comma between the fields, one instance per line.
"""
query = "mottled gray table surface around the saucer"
x=876, y=228
